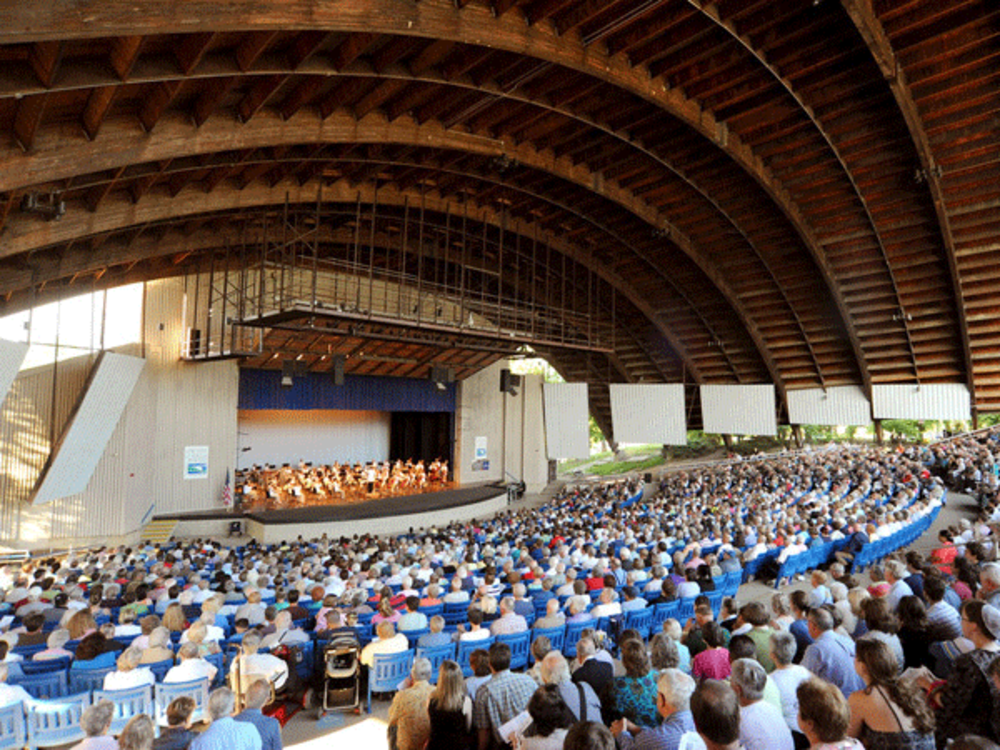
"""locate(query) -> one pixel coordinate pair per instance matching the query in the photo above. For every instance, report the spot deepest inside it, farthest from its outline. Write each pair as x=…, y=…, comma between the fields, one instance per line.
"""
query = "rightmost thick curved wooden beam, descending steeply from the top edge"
x=863, y=14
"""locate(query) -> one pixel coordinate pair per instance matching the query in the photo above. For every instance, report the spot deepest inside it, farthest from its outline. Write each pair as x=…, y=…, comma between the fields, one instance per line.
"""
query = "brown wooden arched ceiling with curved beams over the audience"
x=779, y=191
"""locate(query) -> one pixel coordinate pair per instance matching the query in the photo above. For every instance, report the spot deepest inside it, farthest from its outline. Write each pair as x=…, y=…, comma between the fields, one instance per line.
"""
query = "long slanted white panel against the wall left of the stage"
x=74, y=458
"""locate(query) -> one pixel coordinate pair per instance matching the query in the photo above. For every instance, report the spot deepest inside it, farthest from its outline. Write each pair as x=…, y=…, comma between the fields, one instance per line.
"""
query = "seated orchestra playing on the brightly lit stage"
x=272, y=487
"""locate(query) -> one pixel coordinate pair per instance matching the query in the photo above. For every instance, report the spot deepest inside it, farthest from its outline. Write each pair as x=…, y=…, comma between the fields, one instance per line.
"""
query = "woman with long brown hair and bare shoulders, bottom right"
x=887, y=715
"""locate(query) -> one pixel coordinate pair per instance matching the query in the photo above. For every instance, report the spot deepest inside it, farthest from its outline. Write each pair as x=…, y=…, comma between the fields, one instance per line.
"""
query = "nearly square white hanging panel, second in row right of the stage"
x=652, y=413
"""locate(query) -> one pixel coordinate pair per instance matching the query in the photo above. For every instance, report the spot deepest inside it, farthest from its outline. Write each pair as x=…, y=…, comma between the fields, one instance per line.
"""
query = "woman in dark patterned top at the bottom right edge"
x=967, y=700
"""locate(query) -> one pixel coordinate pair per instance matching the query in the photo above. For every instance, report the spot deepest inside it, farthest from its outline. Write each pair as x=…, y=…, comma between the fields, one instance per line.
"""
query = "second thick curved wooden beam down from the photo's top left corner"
x=173, y=138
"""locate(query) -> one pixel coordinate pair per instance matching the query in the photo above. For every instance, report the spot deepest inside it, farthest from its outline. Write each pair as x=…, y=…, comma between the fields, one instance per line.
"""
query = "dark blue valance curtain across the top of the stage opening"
x=261, y=389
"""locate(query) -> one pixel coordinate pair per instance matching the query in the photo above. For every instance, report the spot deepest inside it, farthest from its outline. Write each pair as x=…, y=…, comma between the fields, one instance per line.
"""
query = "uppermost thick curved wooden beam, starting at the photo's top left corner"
x=435, y=19
